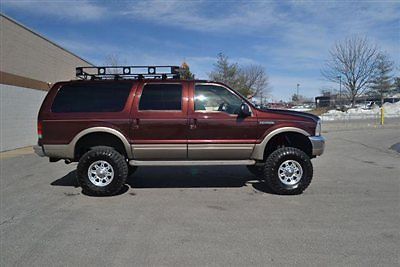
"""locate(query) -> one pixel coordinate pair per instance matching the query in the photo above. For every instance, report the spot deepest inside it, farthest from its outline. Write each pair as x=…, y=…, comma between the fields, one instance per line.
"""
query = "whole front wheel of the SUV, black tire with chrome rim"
x=288, y=171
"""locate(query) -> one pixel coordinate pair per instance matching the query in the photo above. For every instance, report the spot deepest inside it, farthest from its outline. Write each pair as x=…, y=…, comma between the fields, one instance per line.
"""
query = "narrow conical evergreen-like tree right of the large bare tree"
x=382, y=83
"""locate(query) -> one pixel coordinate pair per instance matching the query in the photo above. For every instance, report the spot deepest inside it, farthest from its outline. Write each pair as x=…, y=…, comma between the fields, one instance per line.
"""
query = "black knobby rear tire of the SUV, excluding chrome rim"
x=111, y=156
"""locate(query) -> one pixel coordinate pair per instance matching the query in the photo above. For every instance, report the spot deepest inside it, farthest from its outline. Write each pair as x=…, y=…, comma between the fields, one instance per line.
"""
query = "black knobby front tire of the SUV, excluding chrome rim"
x=274, y=161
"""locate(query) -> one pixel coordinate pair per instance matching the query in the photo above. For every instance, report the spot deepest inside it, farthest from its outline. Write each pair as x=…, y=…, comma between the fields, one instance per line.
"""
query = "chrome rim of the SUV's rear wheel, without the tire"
x=101, y=173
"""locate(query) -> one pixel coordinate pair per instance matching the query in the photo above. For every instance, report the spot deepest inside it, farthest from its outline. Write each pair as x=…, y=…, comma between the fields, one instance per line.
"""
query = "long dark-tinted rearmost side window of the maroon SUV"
x=92, y=97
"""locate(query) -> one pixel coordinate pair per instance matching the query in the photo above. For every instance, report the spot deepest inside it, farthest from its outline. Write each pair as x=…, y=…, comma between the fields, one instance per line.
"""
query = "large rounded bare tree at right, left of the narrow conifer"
x=355, y=61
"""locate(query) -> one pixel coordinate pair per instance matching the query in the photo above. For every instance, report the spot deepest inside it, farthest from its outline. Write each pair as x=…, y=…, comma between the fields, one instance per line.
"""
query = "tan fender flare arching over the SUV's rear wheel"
x=125, y=142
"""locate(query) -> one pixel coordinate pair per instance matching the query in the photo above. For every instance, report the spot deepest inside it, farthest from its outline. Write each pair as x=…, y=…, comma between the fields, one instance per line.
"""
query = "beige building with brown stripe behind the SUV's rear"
x=29, y=65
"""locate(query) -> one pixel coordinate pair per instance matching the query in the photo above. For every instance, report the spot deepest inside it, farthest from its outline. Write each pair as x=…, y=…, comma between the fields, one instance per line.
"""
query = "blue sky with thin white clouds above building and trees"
x=291, y=39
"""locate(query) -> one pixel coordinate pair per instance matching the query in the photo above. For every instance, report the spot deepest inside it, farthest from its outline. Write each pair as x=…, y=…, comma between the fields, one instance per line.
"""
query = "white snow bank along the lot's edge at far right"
x=391, y=110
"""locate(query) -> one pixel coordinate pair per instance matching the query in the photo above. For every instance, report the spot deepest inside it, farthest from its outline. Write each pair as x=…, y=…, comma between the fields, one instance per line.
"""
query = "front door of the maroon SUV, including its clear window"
x=216, y=131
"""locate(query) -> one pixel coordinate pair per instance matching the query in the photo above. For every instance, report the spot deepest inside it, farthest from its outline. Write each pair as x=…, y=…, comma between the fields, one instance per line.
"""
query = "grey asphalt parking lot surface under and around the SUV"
x=208, y=215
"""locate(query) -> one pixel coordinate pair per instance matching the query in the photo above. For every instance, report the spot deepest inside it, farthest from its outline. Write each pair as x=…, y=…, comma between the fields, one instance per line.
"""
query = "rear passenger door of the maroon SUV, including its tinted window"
x=159, y=121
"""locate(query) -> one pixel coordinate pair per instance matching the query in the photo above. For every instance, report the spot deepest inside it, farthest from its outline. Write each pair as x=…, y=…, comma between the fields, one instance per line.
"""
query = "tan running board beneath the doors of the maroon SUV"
x=190, y=162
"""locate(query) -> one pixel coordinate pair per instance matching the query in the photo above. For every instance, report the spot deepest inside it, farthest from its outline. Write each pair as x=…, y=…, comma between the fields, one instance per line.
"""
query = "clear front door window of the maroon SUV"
x=214, y=98
